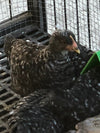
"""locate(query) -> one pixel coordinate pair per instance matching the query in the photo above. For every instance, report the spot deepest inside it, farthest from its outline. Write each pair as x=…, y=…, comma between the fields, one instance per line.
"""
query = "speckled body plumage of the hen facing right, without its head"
x=38, y=67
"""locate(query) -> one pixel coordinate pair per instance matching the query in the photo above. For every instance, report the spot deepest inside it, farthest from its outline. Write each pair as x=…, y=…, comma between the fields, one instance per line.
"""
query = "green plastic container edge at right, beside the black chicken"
x=92, y=62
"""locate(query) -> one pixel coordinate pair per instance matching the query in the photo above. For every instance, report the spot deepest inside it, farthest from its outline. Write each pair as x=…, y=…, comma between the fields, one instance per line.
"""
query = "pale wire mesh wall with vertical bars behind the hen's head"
x=82, y=17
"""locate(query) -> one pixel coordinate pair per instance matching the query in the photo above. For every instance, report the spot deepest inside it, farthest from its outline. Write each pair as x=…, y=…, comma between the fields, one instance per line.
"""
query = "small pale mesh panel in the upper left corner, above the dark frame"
x=11, y=8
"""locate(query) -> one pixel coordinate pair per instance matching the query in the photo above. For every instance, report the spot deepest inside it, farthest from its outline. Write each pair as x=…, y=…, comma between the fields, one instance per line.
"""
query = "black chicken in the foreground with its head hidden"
x=68, y=107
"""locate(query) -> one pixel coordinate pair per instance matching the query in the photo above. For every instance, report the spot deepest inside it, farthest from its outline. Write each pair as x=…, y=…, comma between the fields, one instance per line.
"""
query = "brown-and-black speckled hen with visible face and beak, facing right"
x=34, y=66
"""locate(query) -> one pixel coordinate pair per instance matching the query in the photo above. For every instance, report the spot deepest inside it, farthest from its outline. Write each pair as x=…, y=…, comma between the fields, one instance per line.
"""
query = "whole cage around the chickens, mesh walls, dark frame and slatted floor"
x=35, y=20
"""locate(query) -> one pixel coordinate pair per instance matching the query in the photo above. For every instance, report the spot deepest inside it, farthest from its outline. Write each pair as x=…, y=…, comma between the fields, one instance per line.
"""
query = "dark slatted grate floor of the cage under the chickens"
x=7, y=97
